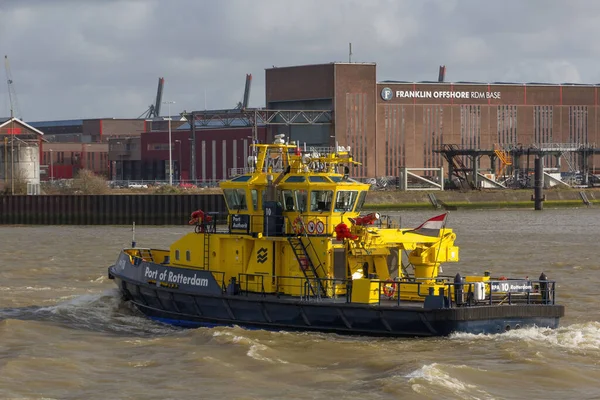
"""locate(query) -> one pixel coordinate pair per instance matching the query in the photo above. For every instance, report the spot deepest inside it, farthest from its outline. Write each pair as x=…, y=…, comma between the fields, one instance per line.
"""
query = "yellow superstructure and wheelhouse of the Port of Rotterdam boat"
x=284, y=233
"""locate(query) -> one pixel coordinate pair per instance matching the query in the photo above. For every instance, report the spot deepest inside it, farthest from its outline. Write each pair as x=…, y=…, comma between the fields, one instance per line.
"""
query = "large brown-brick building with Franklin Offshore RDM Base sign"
x=395, y=124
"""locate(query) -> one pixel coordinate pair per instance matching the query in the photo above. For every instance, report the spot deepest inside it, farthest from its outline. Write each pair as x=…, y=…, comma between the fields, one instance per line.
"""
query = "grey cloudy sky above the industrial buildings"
x=102, y=58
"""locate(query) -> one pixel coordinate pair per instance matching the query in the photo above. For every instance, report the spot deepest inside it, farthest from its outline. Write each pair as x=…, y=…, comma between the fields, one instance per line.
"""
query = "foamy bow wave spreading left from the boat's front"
x=104, y=312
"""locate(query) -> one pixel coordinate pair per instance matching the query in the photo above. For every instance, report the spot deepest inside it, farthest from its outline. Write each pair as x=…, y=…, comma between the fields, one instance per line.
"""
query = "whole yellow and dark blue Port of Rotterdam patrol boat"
x=294, y=253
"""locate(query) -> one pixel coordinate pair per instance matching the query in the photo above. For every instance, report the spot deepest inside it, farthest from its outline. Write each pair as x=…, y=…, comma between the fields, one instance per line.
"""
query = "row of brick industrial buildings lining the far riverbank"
x=389, y=125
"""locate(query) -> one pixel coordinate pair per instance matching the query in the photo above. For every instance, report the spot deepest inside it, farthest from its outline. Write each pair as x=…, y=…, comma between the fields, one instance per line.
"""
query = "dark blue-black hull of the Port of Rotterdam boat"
x=189, y=309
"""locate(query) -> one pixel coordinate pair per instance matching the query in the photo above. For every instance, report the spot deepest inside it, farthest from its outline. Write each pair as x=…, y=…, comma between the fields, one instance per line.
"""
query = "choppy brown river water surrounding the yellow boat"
x=65, y=334
